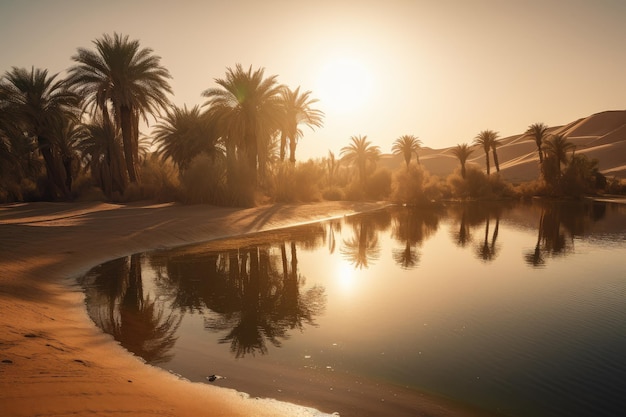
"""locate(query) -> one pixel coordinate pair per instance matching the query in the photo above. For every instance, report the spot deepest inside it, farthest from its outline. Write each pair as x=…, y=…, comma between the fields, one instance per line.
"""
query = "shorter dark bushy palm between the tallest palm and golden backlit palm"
x=183, y=134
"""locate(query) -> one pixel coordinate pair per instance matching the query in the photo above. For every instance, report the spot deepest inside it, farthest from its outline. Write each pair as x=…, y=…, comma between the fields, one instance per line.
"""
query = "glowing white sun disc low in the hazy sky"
x=345, y=85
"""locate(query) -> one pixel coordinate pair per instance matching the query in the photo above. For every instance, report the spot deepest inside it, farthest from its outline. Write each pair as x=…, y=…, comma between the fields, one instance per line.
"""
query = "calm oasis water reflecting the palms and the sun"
x=519, y=309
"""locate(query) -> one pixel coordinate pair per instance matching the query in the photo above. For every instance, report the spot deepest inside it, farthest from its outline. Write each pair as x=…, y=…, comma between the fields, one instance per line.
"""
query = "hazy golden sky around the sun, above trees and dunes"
x=442, y=70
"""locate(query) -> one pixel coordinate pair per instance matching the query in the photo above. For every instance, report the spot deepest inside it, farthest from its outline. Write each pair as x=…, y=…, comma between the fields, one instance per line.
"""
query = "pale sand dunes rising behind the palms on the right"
x=601, y=136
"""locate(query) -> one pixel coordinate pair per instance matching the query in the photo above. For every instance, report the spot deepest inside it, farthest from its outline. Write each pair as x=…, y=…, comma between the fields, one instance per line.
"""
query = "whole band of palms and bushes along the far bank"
x=79, y=137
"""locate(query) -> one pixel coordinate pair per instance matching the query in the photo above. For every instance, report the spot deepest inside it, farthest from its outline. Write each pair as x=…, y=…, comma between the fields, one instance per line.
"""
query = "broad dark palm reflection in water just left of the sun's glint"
x=257, y=304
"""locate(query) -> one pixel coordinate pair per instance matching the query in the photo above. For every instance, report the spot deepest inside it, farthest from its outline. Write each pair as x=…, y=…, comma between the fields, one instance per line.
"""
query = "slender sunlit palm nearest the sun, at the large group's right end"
x=296, y=110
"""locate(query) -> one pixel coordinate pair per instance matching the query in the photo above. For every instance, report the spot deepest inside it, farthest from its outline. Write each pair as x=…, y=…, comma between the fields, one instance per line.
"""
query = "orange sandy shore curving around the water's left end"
x=53, y=359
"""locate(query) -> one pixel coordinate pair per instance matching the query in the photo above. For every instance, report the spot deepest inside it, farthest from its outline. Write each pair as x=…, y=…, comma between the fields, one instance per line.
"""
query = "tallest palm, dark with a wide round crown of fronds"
x=129, y=79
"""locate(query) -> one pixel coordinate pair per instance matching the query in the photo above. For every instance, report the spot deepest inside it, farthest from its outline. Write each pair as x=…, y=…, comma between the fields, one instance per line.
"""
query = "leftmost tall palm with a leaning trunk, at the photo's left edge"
x=36, y=103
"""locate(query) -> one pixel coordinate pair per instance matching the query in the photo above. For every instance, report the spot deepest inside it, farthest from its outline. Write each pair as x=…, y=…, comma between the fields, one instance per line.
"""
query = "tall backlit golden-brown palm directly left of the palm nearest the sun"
x=247, y=106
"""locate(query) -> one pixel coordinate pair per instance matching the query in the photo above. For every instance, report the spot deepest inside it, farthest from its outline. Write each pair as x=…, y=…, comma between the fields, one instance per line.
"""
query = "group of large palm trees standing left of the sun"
x=90, y=120
